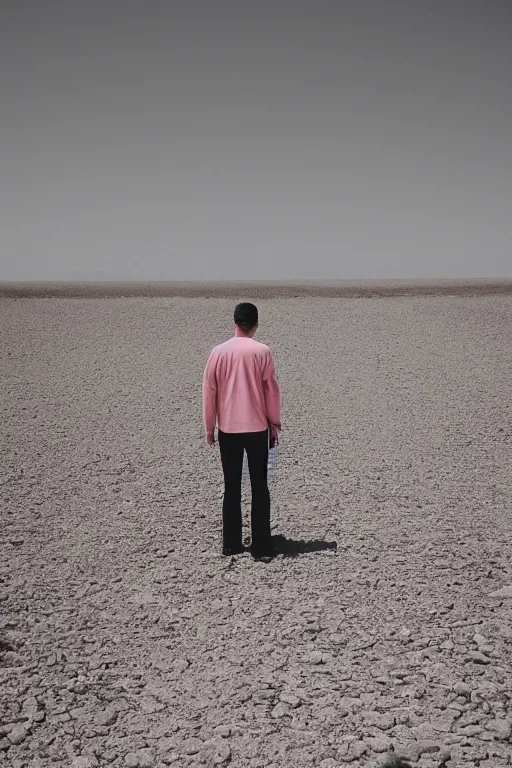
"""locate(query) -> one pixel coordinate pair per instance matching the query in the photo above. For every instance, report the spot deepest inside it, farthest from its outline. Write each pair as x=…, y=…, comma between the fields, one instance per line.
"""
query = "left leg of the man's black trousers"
x=232, y=454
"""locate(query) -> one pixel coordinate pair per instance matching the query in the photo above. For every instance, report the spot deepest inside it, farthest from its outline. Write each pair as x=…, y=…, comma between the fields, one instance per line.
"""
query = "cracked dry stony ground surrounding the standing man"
x=127, y=640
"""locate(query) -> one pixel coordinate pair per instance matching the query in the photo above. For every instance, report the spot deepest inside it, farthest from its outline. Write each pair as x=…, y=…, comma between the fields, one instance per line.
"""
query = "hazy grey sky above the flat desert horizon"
x=255, y=139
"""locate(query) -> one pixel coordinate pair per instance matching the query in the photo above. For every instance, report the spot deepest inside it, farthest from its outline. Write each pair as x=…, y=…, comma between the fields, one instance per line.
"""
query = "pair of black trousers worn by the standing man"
x=232, y=447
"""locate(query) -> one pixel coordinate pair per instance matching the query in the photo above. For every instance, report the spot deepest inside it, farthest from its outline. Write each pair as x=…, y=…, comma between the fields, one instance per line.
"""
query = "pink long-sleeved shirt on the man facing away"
x=240, y=390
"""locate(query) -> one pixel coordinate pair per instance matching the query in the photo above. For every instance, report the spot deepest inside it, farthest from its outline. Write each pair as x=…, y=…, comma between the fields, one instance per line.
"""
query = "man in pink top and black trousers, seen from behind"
x=241, y=392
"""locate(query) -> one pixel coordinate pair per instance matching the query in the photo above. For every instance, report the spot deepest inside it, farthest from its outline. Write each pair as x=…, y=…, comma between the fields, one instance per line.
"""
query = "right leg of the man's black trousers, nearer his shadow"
x=257, y=458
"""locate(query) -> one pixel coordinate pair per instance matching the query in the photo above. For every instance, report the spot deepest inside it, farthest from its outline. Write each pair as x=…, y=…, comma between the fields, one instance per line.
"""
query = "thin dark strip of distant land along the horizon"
x=257, y=289
